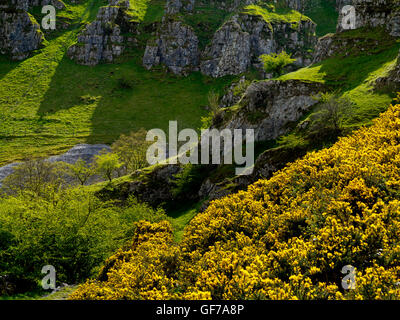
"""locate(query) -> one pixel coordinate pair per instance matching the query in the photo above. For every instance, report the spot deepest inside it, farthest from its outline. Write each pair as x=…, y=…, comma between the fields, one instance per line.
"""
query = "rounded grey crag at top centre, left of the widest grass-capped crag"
x=176, y=46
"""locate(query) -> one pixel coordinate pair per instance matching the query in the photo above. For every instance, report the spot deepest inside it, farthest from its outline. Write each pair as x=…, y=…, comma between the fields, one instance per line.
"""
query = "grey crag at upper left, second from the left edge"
x=102, y=40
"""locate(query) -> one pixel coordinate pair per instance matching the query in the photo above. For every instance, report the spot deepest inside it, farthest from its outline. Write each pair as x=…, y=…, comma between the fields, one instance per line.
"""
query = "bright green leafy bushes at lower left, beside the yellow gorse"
x=73, y=231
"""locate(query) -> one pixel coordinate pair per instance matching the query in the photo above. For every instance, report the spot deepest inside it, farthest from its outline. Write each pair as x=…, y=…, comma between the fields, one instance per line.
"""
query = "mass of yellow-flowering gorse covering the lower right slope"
x=285, y=238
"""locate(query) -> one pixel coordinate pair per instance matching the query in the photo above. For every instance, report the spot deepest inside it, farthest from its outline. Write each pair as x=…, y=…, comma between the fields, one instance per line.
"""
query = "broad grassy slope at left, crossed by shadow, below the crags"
x=42, y=111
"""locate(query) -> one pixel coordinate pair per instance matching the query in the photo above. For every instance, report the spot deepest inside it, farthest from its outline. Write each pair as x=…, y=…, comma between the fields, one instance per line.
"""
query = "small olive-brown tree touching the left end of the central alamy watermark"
x=131, y=150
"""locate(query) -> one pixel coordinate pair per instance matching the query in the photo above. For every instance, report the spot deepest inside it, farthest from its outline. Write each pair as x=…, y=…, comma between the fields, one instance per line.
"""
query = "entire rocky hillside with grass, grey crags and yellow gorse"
x=322, y=192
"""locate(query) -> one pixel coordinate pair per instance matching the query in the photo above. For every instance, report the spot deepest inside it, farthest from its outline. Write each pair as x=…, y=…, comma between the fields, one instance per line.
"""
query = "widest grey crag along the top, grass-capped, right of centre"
x=241, y=40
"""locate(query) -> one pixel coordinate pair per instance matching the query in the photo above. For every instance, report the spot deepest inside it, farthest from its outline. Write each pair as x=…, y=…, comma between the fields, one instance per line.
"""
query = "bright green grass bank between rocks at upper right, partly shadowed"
x=353, y=76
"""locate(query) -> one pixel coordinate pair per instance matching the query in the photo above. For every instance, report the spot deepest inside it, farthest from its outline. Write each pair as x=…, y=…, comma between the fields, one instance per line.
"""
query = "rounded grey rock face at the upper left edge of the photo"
x=19, y=34
